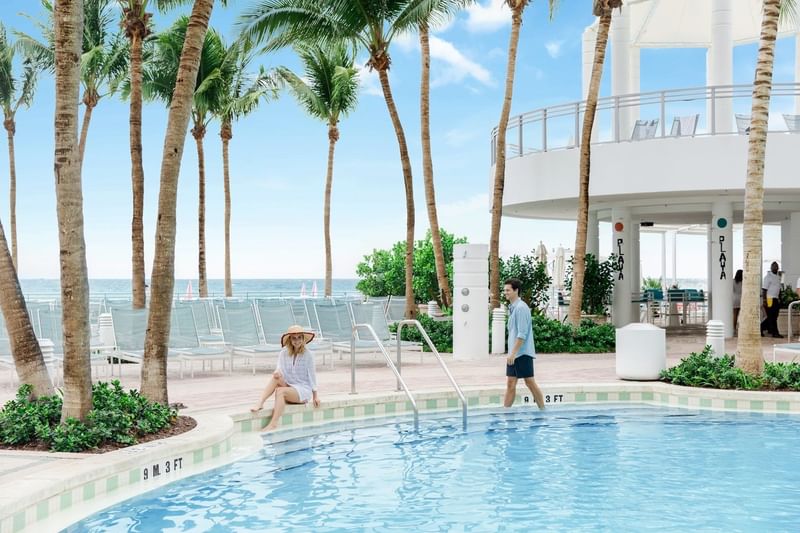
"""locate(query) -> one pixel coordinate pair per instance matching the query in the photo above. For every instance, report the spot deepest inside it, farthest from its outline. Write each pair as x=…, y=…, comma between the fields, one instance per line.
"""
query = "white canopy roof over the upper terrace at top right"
x=687, y=23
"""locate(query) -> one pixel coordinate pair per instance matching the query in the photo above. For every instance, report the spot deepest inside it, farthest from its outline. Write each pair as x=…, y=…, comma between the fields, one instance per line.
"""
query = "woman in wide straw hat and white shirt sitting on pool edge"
x=295, y=379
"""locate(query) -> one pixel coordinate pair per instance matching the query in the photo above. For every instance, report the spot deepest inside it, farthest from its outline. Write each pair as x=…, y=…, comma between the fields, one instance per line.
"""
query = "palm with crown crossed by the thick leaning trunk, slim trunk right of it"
x=159, y=80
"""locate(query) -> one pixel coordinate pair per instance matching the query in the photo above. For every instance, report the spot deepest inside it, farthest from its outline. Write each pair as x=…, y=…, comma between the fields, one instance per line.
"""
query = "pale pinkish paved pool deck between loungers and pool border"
x=220, y=392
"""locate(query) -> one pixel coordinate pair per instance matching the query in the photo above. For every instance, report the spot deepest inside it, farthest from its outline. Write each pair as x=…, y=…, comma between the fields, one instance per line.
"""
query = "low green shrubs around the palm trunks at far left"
x=117, y=417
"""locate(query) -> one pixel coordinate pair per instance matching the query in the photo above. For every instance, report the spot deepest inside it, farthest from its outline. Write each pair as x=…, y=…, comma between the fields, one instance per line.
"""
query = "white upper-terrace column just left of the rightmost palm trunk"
x=721, y=59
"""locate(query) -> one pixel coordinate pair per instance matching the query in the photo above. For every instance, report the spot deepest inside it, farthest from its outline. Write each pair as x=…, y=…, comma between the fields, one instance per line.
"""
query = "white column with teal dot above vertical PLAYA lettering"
x=721, y=260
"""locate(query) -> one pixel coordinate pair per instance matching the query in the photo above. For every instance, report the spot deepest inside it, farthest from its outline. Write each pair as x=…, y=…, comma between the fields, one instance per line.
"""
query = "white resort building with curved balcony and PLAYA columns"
x=670, y=158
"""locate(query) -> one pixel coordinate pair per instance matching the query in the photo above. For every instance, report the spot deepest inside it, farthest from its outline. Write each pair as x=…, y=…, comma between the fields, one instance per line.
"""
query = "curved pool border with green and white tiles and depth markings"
x=69, y=492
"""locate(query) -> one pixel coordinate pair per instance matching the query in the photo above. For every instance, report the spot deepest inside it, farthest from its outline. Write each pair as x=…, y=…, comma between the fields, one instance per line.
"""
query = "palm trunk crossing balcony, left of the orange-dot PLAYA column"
x=579, y=258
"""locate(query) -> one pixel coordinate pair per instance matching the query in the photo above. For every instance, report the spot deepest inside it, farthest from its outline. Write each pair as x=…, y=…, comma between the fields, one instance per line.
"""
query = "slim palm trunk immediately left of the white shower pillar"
x=427, y=168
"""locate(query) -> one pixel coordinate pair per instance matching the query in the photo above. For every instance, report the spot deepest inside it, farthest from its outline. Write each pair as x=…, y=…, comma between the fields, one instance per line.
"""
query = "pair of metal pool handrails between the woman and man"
x=401, y=384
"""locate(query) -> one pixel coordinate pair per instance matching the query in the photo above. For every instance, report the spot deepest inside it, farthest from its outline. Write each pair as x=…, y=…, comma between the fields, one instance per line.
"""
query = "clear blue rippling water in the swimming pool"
x=611, y=468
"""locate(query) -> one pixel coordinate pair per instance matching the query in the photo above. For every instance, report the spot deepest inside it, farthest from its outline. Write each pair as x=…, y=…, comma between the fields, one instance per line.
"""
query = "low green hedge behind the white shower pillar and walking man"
x=550, y=336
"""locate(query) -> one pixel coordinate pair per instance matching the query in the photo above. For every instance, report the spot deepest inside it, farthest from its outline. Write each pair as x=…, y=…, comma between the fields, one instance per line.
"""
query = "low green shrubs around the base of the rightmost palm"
x=704, y=370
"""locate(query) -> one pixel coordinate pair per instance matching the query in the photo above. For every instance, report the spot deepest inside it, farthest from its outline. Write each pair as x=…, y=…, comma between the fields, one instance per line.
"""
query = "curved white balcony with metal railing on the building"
x=657, y=152
